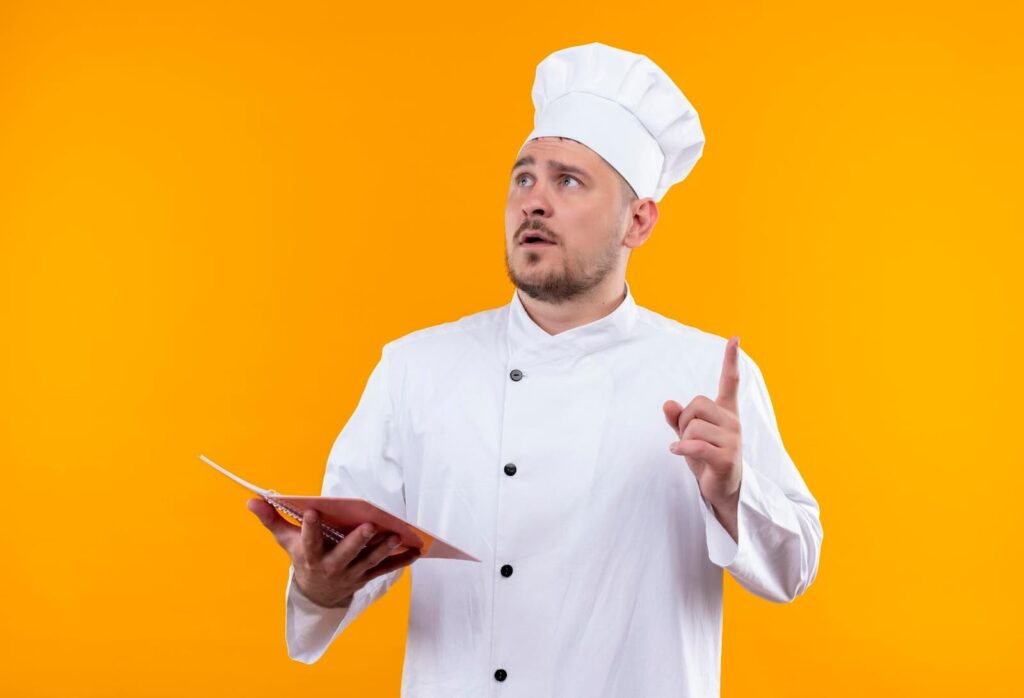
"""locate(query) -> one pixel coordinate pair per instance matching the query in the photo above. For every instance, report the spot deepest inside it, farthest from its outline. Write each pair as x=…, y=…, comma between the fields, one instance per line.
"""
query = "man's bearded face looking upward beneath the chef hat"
x=563, y=191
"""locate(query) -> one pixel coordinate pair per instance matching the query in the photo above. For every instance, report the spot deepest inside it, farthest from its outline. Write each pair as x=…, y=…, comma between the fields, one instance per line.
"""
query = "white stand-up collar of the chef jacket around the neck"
x=529, y=341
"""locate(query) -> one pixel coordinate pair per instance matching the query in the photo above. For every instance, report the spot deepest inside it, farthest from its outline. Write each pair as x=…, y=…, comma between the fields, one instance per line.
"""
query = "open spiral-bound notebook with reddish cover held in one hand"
x=340, y=515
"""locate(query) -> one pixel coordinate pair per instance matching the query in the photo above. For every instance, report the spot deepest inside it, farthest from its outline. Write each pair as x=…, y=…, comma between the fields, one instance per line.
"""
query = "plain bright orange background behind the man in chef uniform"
x=215, y=214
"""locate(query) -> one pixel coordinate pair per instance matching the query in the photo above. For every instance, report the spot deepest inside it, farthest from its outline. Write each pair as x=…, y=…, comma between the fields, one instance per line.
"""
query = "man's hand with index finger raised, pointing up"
x=710, y=439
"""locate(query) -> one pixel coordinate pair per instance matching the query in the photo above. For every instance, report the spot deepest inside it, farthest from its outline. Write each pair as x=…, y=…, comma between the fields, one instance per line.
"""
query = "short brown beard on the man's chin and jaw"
x=567, y=282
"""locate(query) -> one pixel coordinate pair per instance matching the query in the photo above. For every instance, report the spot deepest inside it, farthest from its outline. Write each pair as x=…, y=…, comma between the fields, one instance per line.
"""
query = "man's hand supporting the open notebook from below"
x=331, y=578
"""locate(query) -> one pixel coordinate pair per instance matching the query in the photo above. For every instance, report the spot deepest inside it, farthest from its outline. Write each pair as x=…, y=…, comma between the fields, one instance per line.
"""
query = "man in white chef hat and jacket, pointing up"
x=606, y=463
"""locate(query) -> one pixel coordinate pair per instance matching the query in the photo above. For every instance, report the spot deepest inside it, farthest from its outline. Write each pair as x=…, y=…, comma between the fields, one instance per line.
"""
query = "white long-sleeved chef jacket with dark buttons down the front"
x=615, y=559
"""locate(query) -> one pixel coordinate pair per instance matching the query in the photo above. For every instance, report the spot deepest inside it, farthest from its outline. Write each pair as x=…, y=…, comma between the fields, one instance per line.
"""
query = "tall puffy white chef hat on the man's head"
x=624, y=108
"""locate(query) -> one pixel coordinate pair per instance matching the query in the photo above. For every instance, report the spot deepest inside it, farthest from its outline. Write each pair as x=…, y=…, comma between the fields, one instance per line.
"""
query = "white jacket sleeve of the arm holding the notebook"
x=365, y=462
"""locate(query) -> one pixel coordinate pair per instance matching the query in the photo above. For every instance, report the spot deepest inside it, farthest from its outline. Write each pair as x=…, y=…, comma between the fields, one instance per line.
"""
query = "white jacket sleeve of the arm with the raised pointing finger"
x=779, y=525
